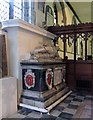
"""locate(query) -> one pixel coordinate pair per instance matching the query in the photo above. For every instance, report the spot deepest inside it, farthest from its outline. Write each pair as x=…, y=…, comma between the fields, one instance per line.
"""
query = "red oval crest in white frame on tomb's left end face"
x=29, y=79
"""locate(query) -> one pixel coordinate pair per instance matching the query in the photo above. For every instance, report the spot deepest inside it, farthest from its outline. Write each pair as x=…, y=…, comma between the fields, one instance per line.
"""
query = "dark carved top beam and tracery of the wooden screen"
x=73, y=32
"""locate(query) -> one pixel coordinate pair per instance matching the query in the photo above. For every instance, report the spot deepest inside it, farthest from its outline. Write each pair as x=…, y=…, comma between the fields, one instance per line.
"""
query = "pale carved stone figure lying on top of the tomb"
x=44, y=53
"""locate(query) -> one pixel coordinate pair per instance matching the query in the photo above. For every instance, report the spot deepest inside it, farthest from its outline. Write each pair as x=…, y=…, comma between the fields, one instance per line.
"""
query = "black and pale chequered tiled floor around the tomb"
x=74, y=106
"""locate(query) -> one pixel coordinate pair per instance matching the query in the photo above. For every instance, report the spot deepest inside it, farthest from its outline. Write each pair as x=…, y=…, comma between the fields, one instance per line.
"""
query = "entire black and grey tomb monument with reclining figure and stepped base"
x=43, y=79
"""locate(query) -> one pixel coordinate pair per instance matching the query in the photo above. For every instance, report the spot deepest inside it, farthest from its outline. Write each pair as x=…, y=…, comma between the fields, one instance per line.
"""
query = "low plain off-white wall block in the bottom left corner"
x=8, y=96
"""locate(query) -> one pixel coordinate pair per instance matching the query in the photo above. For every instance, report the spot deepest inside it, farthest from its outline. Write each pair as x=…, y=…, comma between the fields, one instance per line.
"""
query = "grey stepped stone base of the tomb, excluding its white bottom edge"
x=44, y=99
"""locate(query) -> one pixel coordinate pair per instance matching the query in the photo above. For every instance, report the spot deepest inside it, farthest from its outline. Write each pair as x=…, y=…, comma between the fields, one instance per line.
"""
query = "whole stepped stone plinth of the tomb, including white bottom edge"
x=45, y=100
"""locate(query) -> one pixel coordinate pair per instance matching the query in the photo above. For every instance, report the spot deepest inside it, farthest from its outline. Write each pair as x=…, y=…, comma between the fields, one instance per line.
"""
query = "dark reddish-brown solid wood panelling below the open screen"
x=80, y=75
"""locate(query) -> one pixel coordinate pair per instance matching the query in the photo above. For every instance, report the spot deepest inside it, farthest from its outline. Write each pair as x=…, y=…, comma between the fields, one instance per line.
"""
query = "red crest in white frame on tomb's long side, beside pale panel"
x=49, y=78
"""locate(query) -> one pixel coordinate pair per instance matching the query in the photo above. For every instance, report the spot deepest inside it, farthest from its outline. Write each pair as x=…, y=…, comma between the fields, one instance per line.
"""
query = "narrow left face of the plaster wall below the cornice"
x=12, y=49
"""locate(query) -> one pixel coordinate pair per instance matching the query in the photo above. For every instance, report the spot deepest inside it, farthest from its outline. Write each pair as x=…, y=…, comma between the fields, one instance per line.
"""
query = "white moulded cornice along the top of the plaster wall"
x=26, y=26
